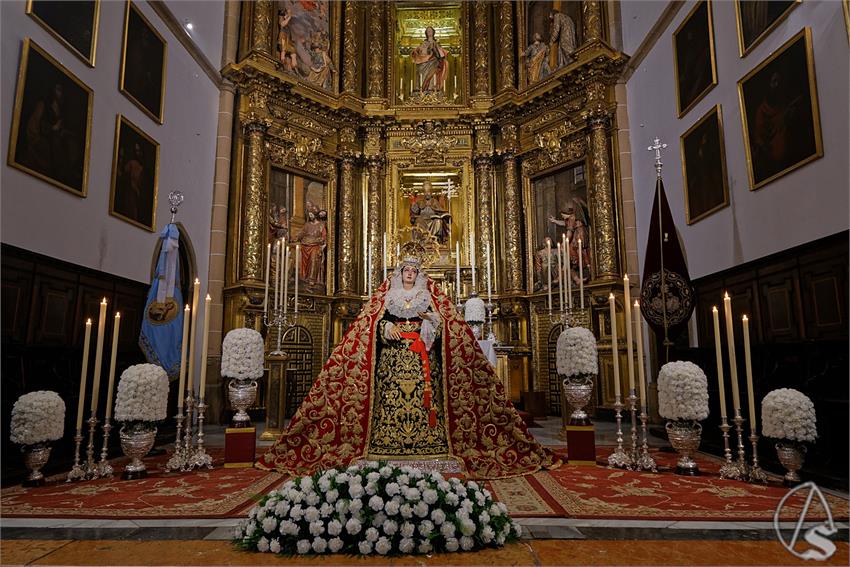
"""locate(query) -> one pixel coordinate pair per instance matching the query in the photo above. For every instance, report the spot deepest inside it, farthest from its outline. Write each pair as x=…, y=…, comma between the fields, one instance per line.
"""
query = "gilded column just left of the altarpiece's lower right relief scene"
x=512, y=267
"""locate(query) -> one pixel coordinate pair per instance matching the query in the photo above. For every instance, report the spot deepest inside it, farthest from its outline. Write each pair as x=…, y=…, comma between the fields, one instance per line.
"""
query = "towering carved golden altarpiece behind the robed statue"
x=358, y=121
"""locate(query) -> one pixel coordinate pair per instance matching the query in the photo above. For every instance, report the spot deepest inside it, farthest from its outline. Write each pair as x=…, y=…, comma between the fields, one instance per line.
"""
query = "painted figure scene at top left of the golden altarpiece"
x=306, y=41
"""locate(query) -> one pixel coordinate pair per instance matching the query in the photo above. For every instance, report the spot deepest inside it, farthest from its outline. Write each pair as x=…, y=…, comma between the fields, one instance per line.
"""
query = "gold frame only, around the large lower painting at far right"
x=815, y=109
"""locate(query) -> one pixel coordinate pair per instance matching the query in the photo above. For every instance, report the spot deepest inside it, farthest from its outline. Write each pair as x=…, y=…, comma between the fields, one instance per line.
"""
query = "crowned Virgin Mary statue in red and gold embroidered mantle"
x=408, y=382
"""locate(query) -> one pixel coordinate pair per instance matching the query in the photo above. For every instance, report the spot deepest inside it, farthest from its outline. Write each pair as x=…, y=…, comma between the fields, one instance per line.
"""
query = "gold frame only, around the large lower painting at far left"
x=16, y=119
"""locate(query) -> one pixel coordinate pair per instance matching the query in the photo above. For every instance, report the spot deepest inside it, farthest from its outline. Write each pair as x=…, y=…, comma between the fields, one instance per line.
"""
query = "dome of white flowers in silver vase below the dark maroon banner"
x=682, y=391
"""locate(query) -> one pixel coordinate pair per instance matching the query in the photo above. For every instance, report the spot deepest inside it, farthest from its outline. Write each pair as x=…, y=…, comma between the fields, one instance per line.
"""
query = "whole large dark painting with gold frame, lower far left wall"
x=55, y=108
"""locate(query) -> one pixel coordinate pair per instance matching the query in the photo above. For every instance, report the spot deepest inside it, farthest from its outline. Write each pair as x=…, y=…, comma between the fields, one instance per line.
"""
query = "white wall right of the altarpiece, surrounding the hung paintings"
x=807, y=204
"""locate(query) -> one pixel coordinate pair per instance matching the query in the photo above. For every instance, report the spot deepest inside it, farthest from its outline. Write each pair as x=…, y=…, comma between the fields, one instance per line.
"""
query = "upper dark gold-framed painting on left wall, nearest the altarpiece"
x=142, y=78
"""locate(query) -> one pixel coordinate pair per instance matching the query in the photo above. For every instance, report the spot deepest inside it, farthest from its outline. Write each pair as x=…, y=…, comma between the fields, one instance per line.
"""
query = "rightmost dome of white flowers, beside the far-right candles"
x=788, y=414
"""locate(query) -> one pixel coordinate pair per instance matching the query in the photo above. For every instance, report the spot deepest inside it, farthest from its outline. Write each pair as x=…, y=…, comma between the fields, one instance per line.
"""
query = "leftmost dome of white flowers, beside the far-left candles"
x=37, y=417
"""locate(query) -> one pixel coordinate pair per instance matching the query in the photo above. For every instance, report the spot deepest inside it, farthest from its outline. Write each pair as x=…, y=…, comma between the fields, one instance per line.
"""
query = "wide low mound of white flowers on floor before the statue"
x=376, y=508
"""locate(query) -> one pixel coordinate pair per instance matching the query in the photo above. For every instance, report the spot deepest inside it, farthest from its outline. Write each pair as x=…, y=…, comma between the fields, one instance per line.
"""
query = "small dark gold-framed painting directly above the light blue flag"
x=133, y=189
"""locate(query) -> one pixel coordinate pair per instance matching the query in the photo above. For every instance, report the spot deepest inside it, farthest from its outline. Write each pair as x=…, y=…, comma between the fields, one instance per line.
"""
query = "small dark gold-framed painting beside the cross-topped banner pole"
x=704, y=175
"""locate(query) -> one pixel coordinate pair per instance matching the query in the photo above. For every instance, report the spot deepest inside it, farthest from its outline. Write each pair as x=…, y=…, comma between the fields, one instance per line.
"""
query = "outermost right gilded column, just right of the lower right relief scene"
x=601, y=188
